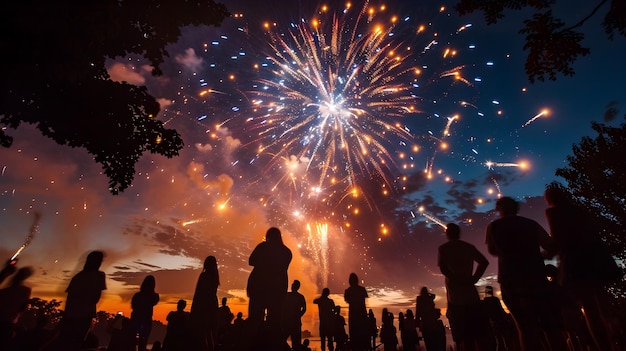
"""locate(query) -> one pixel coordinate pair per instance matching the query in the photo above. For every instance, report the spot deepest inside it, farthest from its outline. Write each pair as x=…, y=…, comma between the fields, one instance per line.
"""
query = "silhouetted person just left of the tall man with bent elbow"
x=427, y=318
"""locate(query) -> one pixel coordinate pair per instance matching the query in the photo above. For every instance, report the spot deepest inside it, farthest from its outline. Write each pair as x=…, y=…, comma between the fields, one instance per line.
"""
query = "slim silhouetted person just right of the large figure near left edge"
x=142, y=305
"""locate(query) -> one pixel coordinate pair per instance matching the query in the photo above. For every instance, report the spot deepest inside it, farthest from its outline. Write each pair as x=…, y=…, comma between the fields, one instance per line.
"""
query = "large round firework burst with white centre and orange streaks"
x=333, y=105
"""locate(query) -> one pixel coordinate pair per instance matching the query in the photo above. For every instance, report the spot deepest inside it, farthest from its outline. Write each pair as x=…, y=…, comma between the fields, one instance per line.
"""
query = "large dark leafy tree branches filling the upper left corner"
x=53, y=74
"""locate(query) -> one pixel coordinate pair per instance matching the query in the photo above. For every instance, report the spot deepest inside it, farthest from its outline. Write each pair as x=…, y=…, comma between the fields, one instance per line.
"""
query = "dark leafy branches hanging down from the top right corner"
x=552, y=46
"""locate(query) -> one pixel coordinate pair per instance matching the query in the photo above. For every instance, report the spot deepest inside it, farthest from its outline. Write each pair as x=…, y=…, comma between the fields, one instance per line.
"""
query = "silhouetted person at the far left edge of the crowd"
x=13, y=301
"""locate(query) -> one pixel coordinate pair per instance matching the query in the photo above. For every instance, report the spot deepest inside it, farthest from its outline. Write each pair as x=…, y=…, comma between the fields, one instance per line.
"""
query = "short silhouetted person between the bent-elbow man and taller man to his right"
x=499, y=320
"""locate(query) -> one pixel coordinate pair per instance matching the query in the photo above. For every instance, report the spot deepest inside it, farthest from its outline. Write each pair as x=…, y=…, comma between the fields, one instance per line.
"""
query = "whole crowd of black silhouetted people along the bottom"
x=549, y=308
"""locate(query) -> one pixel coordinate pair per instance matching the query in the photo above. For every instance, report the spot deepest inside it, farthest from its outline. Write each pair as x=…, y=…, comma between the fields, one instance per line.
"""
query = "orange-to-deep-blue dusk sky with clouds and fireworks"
x=357, y=159
